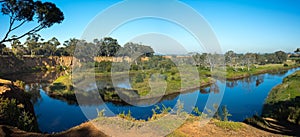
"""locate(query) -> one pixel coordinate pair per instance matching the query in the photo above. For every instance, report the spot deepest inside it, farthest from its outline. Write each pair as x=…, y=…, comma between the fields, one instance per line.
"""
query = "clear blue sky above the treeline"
x=258, y=26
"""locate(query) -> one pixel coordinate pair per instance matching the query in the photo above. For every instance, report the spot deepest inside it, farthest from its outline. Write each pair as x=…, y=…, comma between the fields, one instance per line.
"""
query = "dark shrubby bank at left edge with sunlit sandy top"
x=16, y=108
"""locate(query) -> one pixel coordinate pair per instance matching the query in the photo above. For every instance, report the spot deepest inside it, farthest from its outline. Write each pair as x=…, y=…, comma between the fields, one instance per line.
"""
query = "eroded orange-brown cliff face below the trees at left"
x=11, y=65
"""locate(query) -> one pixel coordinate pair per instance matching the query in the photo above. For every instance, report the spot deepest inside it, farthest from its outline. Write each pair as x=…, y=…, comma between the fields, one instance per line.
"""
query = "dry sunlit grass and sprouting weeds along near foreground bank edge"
x=163, y=120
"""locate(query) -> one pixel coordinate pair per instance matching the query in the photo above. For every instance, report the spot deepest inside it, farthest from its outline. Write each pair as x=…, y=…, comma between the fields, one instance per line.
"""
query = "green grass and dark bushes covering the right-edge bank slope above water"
x=283, y=102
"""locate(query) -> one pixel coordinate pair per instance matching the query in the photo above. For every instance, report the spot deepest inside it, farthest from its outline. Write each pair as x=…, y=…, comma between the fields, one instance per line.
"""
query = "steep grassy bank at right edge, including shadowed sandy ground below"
x=281, y=111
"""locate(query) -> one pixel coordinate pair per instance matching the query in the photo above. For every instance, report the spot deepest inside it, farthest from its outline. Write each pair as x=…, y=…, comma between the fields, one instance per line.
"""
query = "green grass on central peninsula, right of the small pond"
x=174, y=82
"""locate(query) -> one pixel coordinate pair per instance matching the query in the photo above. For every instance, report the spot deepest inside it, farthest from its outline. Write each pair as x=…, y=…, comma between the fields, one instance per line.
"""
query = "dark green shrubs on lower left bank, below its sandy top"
x=12, y=113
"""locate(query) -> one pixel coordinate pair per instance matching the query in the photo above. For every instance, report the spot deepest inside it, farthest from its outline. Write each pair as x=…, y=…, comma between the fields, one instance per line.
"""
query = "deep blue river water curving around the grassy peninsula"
x=243, y=98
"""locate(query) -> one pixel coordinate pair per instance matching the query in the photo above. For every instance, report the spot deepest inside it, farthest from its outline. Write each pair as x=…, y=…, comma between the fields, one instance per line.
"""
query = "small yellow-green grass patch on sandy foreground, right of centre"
x=229, y=125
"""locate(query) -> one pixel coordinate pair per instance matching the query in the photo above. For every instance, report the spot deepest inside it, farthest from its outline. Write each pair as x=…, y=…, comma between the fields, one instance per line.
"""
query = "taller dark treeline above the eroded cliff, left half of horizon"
x=36, y=46
